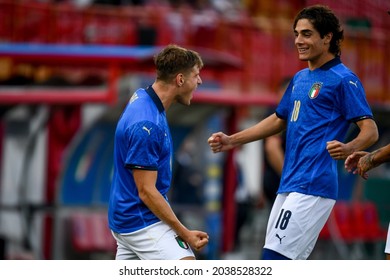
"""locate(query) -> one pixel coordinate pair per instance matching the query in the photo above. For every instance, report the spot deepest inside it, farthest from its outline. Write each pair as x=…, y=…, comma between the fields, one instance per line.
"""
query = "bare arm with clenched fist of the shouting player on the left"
x=148, y=193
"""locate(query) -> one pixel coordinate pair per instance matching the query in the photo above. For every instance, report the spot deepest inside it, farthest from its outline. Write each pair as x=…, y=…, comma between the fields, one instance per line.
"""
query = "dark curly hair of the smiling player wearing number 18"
x=325, y=22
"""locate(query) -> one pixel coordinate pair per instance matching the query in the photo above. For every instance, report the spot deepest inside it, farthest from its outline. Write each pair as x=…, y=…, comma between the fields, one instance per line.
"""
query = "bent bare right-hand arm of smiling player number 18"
x=367, y=136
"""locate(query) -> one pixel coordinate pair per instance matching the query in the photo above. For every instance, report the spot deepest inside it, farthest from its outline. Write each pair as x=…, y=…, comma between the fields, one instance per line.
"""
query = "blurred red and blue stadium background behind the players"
x=67, y=69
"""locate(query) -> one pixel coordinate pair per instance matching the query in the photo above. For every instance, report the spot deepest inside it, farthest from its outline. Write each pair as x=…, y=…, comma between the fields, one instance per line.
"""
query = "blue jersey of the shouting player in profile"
x=142, y=141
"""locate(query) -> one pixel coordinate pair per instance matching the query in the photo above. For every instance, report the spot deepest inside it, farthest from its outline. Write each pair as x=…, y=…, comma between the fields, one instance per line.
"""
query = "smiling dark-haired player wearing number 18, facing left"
x=316, y=110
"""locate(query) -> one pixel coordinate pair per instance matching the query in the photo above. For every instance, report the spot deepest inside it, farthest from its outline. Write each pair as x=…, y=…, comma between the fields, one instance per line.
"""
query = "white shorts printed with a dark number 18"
x=295, y=223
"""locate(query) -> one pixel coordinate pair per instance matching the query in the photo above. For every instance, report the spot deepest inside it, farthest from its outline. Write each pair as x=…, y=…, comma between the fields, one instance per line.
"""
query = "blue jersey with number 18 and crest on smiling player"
x=318, y=106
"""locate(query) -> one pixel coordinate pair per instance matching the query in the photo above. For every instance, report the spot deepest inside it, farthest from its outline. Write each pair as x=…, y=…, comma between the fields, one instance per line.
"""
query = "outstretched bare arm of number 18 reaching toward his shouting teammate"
x=271, y=125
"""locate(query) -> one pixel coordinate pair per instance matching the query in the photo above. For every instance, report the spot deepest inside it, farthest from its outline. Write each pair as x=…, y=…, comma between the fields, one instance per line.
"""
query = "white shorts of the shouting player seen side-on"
x=155, y=242
